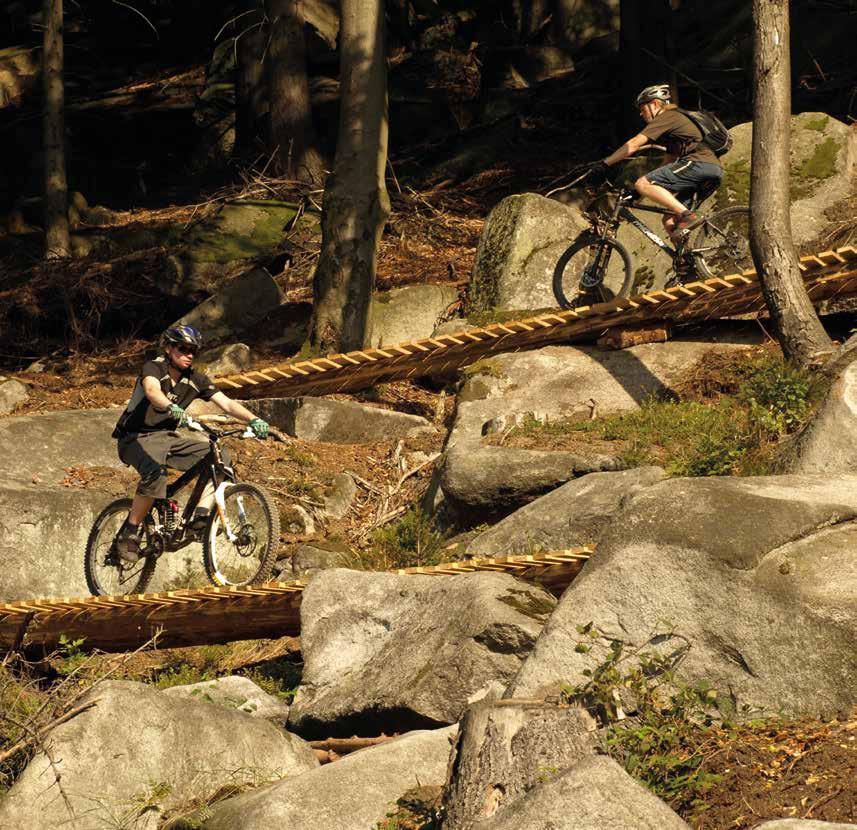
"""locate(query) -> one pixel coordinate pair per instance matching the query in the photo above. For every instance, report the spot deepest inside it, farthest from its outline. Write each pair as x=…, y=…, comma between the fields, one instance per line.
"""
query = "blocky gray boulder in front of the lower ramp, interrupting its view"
x=379, y=657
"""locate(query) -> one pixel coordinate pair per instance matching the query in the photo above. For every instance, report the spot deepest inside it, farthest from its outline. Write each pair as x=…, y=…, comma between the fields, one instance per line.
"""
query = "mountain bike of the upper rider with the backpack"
x=718, y=245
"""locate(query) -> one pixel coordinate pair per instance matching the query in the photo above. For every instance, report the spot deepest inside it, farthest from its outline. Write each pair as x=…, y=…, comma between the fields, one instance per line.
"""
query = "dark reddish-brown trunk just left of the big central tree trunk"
x=292, y=136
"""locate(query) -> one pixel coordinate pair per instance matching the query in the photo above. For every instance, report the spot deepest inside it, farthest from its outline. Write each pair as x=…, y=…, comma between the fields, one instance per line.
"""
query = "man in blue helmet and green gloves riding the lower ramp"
x=147, y=430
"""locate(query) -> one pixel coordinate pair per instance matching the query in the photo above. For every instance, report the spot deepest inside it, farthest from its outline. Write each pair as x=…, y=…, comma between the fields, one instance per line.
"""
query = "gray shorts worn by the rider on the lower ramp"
x=151, y=454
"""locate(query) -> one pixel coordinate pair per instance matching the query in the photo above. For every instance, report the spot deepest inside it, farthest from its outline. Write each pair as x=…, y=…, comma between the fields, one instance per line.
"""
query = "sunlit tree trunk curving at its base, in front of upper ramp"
x=799, y=330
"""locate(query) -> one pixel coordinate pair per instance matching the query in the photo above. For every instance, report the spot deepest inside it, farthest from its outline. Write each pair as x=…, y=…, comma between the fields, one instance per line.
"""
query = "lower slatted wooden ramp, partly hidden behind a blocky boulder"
x=219, y=615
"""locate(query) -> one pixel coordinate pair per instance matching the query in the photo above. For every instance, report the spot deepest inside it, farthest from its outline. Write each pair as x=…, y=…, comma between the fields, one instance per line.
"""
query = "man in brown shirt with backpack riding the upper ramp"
x=692, y=165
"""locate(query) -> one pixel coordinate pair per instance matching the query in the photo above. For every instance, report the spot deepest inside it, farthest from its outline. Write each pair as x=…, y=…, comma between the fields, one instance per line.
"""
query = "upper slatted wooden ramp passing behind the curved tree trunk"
x=827, y=275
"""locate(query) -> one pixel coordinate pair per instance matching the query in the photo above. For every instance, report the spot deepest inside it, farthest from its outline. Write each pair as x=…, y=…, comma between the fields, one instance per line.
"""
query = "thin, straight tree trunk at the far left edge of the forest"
x=57, y=242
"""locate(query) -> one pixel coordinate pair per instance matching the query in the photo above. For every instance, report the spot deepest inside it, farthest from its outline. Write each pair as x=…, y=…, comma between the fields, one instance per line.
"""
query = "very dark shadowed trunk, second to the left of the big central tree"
x=250, y=79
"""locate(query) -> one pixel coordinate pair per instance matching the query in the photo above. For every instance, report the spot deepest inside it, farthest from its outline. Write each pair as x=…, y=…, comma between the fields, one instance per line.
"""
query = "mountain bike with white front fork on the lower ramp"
x=239, y=541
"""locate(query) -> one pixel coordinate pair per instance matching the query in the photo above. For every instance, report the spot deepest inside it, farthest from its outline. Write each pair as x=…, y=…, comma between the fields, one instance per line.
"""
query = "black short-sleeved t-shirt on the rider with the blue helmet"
x=141, y=416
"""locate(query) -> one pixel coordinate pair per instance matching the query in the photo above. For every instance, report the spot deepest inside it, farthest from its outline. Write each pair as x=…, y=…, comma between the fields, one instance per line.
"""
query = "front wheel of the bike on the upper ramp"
x=580, y=271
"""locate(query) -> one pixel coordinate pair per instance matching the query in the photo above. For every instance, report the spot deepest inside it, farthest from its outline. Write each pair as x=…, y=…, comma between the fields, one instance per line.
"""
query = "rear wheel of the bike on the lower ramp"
x=106, y=573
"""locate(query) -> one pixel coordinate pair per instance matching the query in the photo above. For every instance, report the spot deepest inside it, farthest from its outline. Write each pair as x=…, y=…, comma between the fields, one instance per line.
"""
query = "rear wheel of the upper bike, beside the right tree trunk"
x=721, y=244
